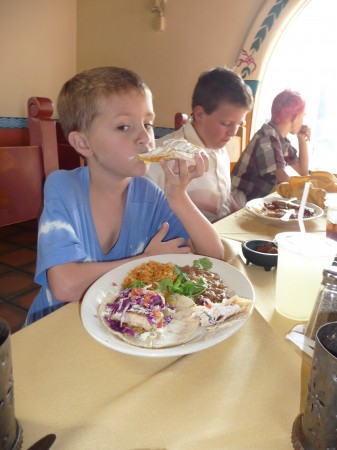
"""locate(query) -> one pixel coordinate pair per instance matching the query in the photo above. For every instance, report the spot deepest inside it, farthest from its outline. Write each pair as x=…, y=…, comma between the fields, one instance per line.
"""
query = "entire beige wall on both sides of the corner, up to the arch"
x=44, y=42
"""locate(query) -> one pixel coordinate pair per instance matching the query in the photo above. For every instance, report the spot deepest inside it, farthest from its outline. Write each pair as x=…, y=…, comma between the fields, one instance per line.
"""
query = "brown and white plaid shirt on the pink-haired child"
x=254, y=173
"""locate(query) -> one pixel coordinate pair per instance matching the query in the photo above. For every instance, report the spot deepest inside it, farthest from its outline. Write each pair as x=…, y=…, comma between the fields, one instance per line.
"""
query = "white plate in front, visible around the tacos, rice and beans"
x=204, y=339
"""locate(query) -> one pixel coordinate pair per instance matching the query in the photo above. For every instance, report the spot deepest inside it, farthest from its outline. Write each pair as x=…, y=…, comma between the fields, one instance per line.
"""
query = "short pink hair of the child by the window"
x=286, y=105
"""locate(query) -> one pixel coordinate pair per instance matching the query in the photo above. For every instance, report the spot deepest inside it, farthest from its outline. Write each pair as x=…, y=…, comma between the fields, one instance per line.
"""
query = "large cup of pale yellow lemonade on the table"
x=301, y=260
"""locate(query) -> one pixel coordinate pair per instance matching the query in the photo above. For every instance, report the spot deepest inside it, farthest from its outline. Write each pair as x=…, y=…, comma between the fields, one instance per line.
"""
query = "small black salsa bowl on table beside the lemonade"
x=258, y=257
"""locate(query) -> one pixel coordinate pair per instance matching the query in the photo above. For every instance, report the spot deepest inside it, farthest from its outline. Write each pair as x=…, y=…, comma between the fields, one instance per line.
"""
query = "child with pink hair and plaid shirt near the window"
x=269, y=158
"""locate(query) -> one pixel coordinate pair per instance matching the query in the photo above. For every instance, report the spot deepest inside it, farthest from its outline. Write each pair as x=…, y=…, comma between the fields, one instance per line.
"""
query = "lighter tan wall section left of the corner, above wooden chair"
x=37, y=53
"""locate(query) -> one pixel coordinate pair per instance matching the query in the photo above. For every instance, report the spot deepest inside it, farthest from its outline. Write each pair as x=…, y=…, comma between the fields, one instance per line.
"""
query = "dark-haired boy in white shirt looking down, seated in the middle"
x=220, y=103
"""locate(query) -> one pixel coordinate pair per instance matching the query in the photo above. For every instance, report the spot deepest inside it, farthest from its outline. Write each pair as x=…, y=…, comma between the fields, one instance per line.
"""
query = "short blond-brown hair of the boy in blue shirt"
x=81, y=97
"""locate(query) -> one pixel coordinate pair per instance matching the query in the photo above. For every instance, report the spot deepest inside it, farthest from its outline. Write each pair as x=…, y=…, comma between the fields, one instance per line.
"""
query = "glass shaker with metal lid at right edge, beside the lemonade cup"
x=325, y=308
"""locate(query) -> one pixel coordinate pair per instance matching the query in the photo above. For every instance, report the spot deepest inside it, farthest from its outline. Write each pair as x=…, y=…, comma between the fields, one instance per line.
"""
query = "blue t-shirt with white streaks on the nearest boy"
x=67, y=232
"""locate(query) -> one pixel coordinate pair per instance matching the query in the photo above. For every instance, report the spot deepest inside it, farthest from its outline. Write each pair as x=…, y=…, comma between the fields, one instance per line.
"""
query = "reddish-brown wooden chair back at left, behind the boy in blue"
x=23, y=169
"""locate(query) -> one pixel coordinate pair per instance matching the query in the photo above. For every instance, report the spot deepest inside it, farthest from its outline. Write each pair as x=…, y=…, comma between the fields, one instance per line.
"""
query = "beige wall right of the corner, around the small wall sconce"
x=199, y=34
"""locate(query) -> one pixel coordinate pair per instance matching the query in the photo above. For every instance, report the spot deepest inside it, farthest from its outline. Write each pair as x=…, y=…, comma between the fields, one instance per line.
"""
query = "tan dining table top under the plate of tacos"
x=242, y=393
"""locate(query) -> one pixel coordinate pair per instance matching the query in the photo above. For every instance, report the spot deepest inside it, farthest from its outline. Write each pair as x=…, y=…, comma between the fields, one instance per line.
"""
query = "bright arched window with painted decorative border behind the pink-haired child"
x=291, y=45
